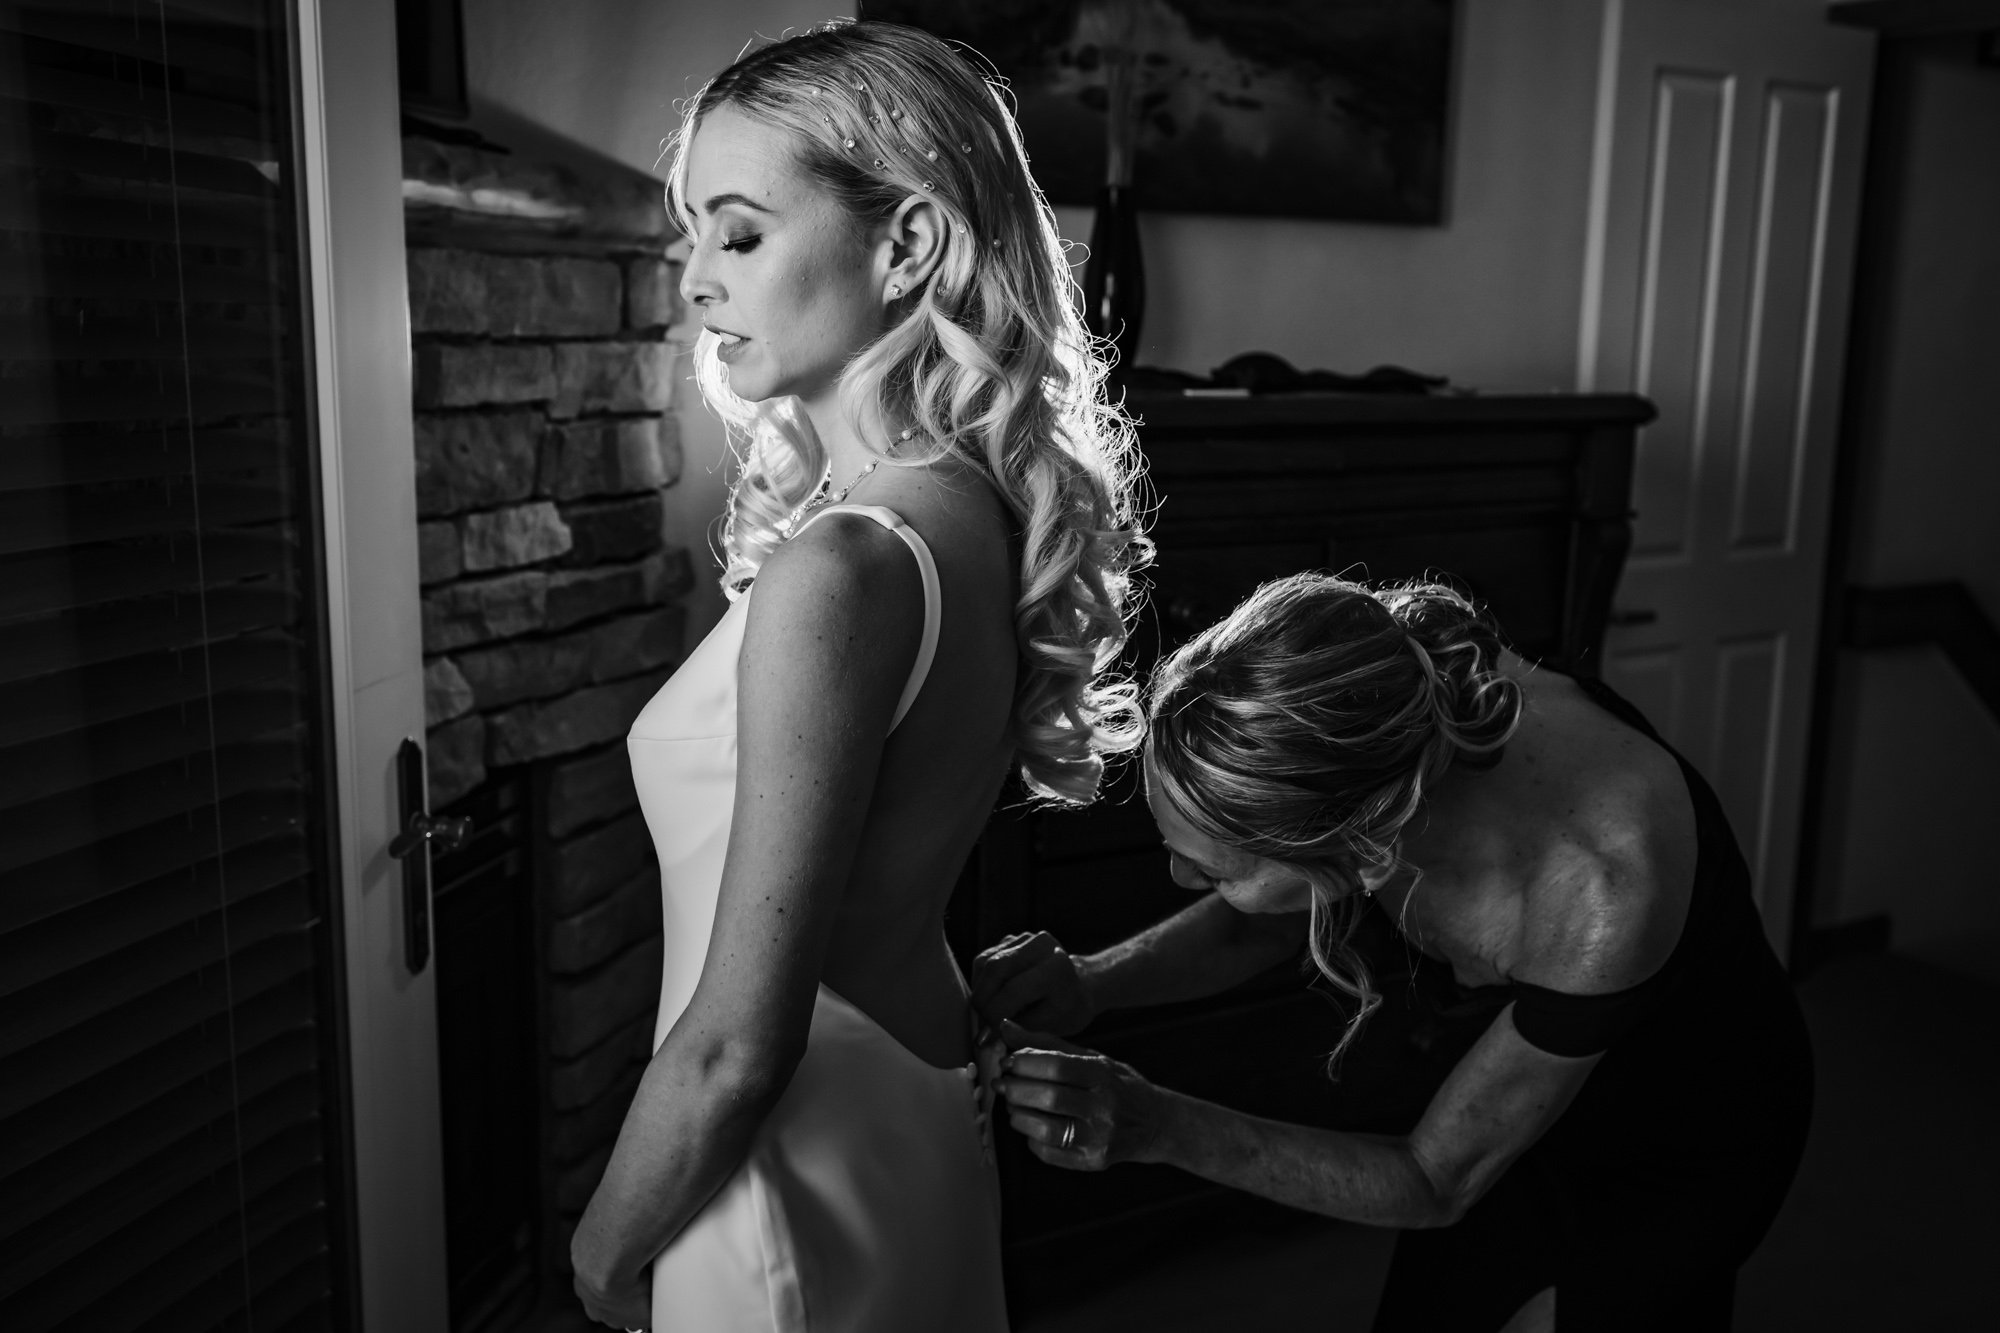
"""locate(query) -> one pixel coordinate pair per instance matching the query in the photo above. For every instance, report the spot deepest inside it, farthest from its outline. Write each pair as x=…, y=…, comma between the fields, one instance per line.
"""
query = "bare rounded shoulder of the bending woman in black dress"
x=1619, y=866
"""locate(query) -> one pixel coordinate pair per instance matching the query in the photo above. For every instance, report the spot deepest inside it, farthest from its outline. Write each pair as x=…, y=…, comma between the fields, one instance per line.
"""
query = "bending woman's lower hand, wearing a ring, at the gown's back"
x=1077, y=1108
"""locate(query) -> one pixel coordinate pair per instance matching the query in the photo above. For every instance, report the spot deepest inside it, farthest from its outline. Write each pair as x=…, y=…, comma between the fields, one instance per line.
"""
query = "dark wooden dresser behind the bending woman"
x=1521, y=499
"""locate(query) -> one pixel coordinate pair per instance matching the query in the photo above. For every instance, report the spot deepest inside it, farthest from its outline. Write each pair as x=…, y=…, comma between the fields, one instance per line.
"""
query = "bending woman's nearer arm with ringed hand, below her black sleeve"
x=1497, y=1102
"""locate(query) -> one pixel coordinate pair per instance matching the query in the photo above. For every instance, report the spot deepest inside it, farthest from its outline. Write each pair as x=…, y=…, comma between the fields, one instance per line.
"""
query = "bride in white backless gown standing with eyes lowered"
x=929, y=551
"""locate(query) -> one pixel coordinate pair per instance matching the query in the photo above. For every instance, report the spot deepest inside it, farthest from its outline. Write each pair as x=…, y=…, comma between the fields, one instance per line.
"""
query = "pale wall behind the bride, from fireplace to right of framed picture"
x=1487, y=299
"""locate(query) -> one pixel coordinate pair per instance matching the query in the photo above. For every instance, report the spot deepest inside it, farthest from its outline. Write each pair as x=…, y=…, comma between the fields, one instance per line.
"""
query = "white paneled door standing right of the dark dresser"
x=1725, y=199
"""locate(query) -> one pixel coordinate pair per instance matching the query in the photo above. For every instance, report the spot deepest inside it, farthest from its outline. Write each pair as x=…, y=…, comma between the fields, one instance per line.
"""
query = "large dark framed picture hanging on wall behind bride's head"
x=1313, y=109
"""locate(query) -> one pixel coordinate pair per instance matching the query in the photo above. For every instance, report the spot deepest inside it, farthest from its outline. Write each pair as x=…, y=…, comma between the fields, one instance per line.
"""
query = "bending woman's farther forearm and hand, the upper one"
x=1203, y=950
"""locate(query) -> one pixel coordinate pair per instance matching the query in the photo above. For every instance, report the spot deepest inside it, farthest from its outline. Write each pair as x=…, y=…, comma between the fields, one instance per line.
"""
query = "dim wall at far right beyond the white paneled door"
x=1919, y=760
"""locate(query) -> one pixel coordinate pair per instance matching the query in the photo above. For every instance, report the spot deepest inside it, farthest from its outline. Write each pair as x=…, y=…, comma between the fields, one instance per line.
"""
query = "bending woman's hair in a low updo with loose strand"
x=1311, y=724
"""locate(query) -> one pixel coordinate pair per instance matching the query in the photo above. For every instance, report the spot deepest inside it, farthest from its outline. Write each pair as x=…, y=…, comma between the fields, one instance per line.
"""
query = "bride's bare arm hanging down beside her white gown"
x=833, y=633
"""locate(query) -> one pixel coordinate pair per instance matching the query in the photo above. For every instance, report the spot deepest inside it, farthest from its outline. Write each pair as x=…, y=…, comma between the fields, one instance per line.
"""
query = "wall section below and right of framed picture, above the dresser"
x=1489, y=299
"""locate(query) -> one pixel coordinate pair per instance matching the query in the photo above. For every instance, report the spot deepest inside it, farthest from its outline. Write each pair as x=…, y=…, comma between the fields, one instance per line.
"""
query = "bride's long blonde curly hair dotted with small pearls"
x=989, y=361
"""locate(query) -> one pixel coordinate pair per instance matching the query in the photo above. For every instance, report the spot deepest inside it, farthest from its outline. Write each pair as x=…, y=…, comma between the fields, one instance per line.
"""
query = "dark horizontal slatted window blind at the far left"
x=171, y=1114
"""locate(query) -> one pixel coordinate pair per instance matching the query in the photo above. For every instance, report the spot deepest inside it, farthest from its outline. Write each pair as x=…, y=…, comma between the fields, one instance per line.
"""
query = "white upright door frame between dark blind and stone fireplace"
x=351, y=195
